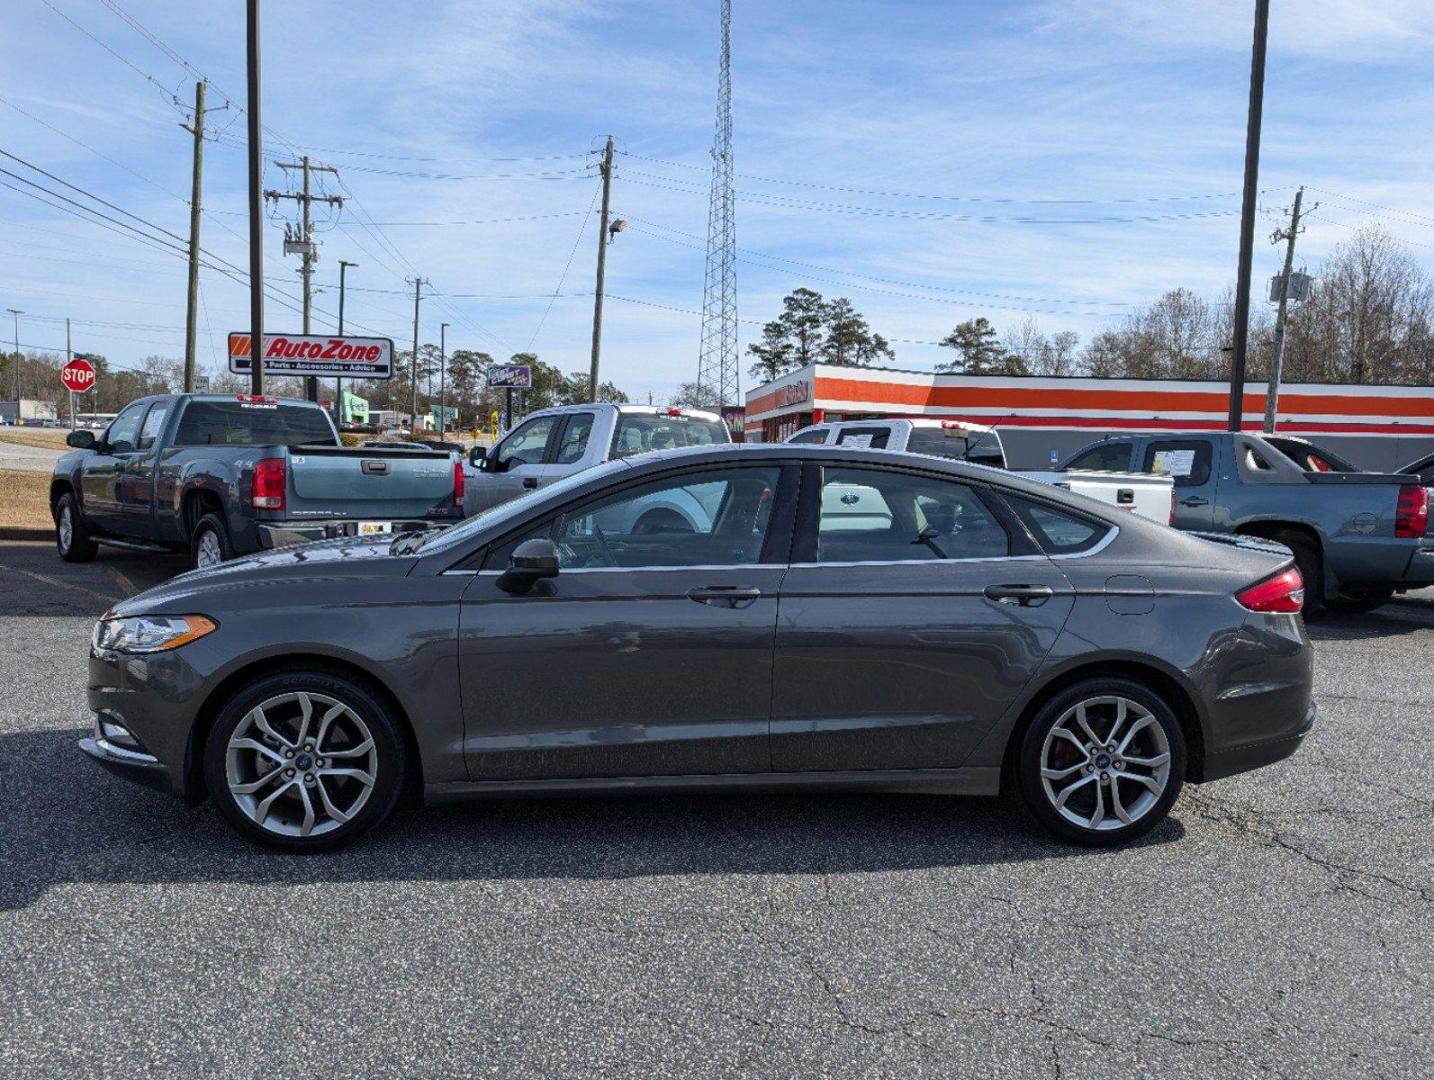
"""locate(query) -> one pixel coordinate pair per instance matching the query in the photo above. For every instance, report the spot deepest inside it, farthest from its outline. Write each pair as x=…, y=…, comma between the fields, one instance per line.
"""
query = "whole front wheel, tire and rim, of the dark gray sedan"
x=306, y=761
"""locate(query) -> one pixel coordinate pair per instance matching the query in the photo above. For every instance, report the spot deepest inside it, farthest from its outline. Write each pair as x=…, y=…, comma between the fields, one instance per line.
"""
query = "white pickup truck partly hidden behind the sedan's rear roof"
x=1151, y=497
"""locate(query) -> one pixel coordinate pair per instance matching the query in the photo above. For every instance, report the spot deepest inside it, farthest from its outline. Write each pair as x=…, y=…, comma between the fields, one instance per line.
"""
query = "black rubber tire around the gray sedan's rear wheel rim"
x=1145, y=807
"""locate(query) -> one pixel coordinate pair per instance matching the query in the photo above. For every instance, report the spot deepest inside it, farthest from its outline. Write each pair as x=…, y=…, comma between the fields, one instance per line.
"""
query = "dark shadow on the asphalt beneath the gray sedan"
x=82, y=825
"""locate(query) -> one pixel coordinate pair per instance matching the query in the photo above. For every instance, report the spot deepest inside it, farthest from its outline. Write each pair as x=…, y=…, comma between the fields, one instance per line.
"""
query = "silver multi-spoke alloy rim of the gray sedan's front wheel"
x=302, y=765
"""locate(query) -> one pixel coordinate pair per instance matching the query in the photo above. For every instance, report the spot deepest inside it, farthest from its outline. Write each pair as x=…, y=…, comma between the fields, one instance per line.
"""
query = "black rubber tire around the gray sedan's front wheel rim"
x=389, y=761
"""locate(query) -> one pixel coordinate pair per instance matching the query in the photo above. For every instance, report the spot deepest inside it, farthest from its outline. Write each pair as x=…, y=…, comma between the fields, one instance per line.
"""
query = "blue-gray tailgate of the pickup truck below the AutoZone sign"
x=369, y=484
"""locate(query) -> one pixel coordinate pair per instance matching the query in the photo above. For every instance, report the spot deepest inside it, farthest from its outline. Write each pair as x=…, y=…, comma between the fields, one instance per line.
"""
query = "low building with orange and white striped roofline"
x=1045, y=420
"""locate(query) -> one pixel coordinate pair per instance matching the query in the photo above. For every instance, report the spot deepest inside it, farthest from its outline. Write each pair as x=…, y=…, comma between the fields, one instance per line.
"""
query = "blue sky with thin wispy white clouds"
x=931, y=161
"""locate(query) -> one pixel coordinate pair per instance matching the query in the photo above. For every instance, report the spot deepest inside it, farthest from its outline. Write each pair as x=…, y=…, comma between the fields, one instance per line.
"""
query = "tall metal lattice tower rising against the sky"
x=718, y=365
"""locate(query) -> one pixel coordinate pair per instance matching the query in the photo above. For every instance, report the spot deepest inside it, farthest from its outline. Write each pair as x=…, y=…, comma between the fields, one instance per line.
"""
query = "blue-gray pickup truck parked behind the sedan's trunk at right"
x=1357, y=537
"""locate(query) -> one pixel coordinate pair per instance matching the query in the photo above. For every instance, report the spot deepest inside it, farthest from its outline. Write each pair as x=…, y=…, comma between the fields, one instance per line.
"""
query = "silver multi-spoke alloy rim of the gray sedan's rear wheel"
x=1105, y=764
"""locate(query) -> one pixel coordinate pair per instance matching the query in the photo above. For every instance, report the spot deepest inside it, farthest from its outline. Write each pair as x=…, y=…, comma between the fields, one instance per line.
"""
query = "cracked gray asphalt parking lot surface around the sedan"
x=1278, y=924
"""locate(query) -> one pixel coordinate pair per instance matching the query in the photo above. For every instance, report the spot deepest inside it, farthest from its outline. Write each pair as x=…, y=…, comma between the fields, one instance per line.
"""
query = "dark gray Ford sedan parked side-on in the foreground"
x=736, y=617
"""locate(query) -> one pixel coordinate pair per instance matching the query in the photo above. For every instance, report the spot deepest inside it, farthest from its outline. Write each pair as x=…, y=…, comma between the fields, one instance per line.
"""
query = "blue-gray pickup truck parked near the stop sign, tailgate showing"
x=222, y=475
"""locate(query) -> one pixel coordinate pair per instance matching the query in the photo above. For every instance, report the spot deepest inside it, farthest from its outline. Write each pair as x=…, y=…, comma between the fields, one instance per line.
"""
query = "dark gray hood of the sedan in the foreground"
x=346, y=559
